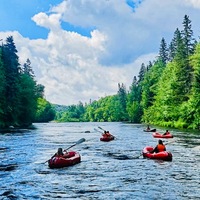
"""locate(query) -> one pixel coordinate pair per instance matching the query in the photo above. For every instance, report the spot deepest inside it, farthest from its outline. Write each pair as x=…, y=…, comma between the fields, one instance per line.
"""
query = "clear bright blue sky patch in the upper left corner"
x=17, y=14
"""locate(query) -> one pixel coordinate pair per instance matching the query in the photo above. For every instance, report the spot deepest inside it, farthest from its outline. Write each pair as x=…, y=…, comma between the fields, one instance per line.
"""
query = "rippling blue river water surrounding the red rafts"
x=108, y=170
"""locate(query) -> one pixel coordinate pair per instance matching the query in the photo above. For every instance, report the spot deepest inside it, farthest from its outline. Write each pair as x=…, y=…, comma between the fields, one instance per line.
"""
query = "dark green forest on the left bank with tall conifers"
x=22, y=99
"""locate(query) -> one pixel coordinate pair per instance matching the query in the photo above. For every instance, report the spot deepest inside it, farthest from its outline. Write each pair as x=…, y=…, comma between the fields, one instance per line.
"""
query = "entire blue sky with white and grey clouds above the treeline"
x=81, y=49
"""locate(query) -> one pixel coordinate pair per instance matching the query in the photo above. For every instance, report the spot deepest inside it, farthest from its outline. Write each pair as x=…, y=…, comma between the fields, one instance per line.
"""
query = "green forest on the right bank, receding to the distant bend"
x=166, y=92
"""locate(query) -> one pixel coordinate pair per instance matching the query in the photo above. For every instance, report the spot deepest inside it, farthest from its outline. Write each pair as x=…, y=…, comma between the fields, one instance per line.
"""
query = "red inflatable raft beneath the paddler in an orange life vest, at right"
x=164, y=155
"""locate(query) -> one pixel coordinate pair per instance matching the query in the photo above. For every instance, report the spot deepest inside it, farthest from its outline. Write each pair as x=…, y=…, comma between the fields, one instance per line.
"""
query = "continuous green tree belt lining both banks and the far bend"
x=165, y=93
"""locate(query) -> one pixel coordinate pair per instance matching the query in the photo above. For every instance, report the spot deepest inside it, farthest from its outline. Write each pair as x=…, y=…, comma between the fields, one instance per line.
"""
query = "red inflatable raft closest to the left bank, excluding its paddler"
x=62, y=161
